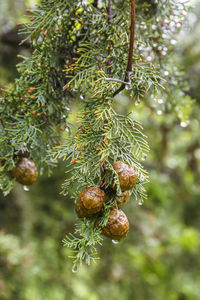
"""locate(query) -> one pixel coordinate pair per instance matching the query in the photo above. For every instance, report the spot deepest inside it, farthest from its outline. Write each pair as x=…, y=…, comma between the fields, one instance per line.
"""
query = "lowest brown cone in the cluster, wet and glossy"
x=117, y=226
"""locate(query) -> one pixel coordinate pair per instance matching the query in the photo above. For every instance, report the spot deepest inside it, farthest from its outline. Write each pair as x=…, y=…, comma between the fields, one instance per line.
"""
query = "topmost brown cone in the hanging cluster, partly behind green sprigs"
x=127, y=175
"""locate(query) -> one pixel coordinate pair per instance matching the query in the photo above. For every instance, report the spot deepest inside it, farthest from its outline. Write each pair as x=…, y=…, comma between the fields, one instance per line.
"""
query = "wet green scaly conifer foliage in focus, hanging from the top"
x=79, y=55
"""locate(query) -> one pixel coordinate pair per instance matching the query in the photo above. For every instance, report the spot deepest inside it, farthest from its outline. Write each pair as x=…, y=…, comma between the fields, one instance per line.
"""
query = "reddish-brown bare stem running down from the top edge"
x=131, y=47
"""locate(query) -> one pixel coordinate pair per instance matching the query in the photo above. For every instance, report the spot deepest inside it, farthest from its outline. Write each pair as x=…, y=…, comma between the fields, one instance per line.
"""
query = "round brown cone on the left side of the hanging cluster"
x=90, y=202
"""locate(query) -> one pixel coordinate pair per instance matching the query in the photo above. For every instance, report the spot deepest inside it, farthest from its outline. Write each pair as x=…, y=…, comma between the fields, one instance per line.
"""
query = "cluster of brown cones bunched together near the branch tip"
x=91, y=201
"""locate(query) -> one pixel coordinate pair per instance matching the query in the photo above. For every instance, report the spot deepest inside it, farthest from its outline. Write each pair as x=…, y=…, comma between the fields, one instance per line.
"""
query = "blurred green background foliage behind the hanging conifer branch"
x=159, y=260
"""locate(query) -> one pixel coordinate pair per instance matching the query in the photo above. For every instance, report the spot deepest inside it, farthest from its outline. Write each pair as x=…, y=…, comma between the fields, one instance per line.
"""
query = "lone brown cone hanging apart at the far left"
x=25, y=171
